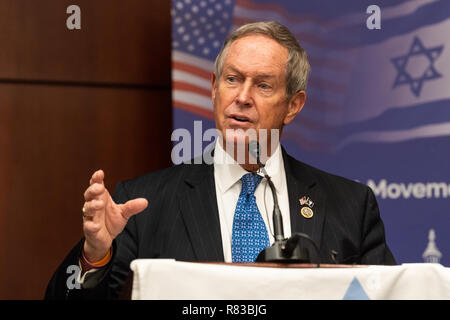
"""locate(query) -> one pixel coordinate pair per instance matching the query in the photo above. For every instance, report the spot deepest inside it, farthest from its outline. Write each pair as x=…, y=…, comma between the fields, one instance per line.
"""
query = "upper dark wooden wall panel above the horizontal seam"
x=117, y=43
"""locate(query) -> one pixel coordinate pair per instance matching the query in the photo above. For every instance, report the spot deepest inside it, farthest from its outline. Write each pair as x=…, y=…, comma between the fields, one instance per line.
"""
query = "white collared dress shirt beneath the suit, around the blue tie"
x=227, y=175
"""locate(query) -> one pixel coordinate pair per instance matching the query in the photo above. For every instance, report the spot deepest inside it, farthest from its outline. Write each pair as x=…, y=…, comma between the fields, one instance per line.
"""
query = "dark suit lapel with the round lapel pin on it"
x=301, y=182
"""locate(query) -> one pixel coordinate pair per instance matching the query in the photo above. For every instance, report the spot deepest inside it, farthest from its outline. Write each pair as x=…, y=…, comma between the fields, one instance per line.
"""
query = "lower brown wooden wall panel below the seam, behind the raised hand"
x=60, y=136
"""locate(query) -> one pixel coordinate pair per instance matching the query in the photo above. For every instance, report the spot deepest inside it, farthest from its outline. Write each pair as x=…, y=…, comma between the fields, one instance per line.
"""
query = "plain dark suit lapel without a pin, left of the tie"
x=198, y=205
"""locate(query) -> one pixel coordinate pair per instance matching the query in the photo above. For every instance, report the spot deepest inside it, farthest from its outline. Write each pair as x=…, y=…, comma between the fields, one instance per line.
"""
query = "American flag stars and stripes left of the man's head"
x=198, y=31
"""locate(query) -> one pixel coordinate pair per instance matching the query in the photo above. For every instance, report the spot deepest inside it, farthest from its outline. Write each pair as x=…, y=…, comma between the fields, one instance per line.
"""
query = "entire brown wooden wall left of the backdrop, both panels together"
x=72, y=102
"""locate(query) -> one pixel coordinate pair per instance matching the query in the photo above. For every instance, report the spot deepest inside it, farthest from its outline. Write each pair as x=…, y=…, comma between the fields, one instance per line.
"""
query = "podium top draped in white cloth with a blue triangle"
x=166, y=279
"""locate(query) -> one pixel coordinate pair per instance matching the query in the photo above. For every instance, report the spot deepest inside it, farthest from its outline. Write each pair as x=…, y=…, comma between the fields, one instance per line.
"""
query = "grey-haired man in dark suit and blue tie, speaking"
x=201, y=212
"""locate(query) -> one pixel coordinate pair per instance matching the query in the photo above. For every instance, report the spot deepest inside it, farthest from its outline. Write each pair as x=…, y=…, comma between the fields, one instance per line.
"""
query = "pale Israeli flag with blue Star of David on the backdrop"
x=404, y=78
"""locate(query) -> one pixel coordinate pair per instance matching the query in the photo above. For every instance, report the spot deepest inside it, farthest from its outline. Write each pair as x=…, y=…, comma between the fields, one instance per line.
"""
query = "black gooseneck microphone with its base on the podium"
x=283, y=250
